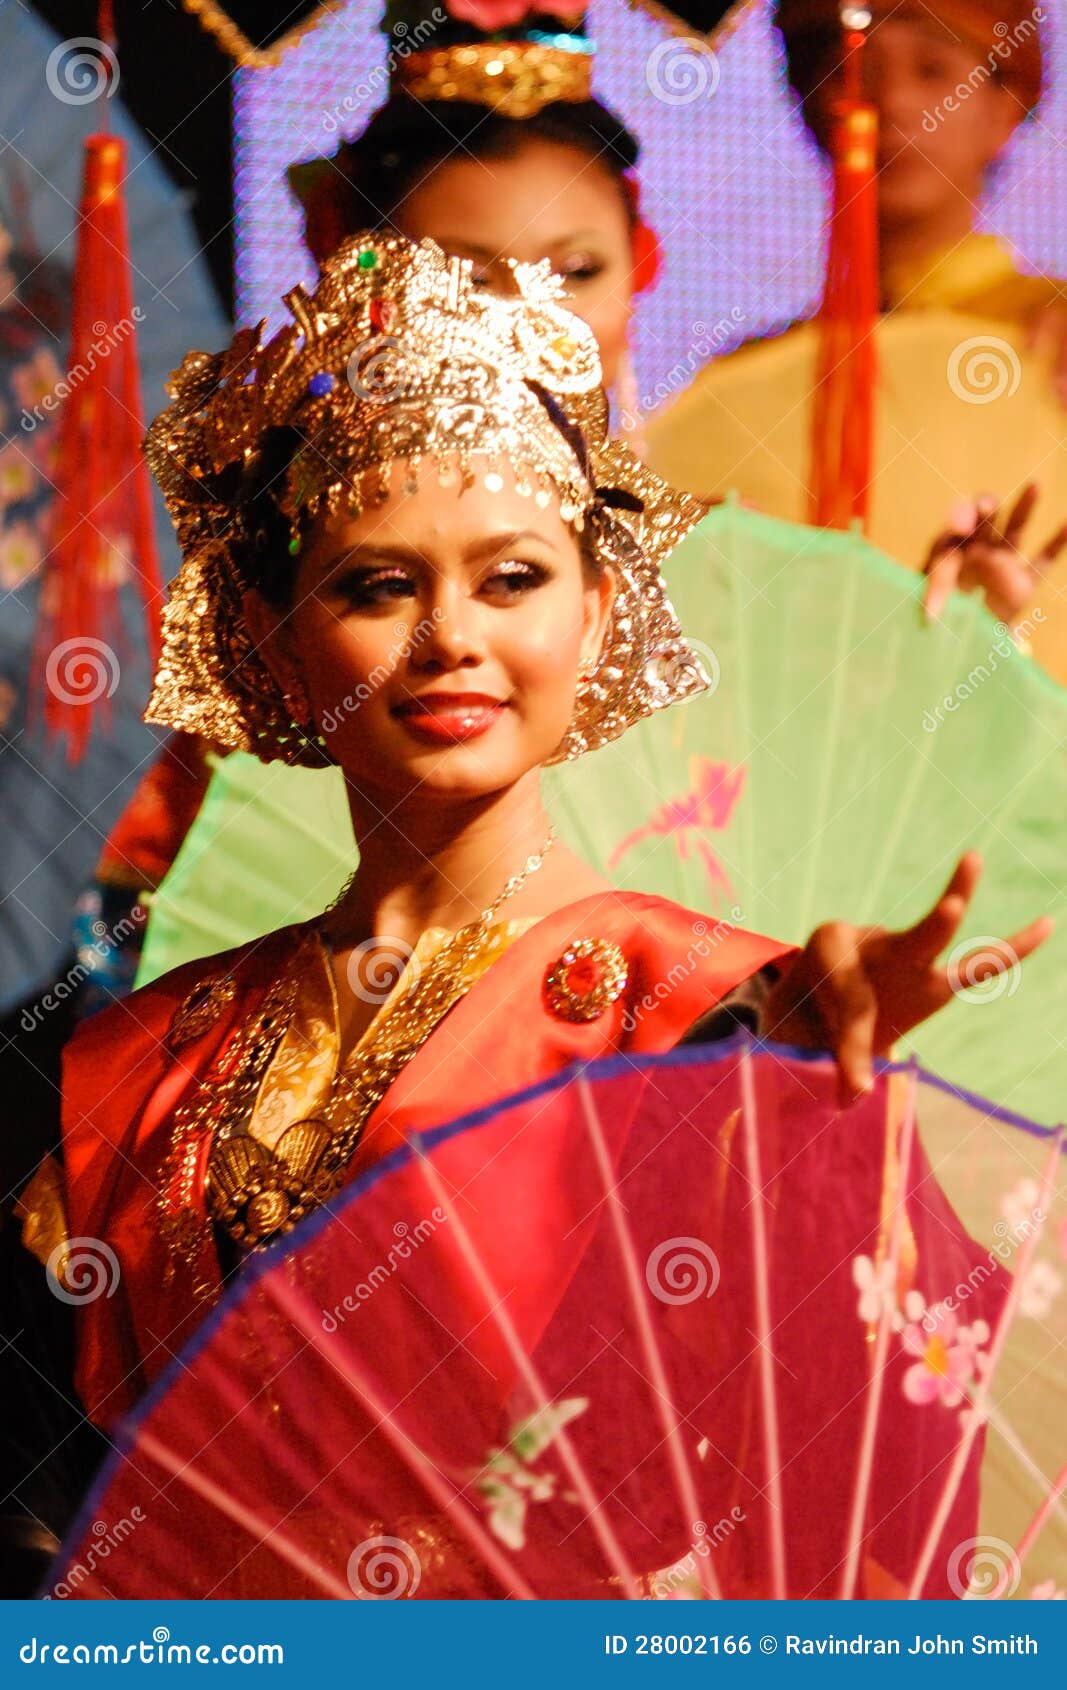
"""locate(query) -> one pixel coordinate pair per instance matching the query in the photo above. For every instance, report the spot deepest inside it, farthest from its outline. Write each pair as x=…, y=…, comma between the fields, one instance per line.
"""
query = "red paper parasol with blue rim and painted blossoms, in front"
x=667, y=1331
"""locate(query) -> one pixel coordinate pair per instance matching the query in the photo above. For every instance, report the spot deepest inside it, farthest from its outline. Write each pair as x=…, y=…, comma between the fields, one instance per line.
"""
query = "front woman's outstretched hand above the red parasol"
x=856, y=991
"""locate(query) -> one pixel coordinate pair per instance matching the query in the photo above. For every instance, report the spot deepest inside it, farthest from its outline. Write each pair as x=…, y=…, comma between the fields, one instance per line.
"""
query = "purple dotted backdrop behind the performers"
x=730, y=178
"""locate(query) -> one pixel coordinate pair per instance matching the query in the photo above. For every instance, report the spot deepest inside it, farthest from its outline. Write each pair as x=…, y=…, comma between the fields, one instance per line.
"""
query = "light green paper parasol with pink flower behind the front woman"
x=848, y=755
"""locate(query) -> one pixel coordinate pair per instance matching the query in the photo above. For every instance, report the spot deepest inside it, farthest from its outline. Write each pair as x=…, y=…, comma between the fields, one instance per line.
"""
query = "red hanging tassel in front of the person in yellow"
x=843, y=413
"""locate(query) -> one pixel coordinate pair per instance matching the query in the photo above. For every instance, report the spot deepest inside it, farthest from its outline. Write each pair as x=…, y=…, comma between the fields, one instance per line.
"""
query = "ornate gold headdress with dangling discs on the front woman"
x=400, y=357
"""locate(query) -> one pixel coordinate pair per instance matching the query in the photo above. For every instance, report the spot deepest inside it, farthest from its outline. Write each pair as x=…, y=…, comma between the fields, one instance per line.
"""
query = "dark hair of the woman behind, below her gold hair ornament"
x=369, y=178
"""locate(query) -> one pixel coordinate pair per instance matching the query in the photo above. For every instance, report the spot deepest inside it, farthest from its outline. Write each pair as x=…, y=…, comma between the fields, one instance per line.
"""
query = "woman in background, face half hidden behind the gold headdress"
x=498, y=168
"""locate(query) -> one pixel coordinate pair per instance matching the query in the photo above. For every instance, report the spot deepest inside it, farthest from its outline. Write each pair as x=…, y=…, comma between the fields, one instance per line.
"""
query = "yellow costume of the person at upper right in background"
x=963, y=408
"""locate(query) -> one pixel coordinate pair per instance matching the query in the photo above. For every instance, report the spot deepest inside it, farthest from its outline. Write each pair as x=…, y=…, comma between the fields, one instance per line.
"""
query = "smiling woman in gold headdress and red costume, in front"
x=476, y=562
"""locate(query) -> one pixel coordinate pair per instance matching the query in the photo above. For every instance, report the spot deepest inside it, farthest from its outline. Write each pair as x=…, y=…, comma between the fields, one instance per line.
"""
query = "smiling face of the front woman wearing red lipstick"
x=424, y=596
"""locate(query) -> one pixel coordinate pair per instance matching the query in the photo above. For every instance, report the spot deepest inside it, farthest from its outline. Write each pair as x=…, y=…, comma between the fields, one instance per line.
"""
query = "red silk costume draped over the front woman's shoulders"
x=123, y=1084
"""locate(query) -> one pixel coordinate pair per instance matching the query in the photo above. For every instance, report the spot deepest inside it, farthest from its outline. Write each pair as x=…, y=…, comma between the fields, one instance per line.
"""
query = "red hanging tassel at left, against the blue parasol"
x=102, y=520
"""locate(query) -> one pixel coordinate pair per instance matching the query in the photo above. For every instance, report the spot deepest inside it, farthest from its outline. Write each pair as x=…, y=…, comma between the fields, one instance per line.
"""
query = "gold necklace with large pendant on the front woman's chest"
x=258, y=1194
